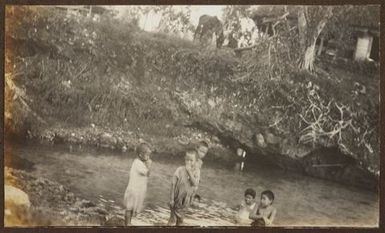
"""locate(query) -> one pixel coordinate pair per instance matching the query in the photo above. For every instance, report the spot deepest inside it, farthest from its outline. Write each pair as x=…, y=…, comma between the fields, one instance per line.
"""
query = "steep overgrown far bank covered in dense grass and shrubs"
x=76, y=72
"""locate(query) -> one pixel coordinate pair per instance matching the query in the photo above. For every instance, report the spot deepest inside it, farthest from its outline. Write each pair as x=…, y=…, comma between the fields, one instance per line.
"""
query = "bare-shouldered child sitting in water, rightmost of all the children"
x=264, y=213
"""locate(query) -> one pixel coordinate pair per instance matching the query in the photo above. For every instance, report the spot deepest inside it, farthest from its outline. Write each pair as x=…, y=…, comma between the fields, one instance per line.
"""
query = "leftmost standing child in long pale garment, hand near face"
x=137, y=185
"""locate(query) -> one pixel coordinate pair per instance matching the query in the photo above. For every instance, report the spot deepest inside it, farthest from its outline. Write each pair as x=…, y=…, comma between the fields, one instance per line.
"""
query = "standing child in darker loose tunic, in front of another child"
x=183, y=184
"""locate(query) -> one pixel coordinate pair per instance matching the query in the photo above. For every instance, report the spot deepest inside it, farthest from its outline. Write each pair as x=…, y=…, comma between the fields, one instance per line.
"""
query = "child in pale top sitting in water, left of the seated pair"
x=246, y=207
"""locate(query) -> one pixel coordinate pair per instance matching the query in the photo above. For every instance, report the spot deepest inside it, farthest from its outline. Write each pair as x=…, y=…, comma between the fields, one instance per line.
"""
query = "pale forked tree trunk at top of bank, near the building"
x=308, y=35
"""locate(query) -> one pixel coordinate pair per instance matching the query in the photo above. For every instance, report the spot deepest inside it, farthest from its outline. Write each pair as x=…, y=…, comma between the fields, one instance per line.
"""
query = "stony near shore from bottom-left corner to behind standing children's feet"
x=48, y=203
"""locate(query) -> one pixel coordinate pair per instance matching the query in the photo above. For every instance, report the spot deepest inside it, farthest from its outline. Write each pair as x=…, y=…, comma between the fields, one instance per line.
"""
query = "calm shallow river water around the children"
x=300, y=200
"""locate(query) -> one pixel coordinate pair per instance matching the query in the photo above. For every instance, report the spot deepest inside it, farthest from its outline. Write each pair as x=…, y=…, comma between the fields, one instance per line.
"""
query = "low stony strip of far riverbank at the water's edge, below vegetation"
x=121, y=140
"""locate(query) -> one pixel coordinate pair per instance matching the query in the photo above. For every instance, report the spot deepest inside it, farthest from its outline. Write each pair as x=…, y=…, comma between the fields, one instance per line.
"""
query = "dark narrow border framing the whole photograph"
x=381, y=228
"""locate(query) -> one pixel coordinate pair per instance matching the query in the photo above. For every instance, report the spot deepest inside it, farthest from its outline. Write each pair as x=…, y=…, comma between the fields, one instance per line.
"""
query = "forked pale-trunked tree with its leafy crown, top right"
x=336, y=22
